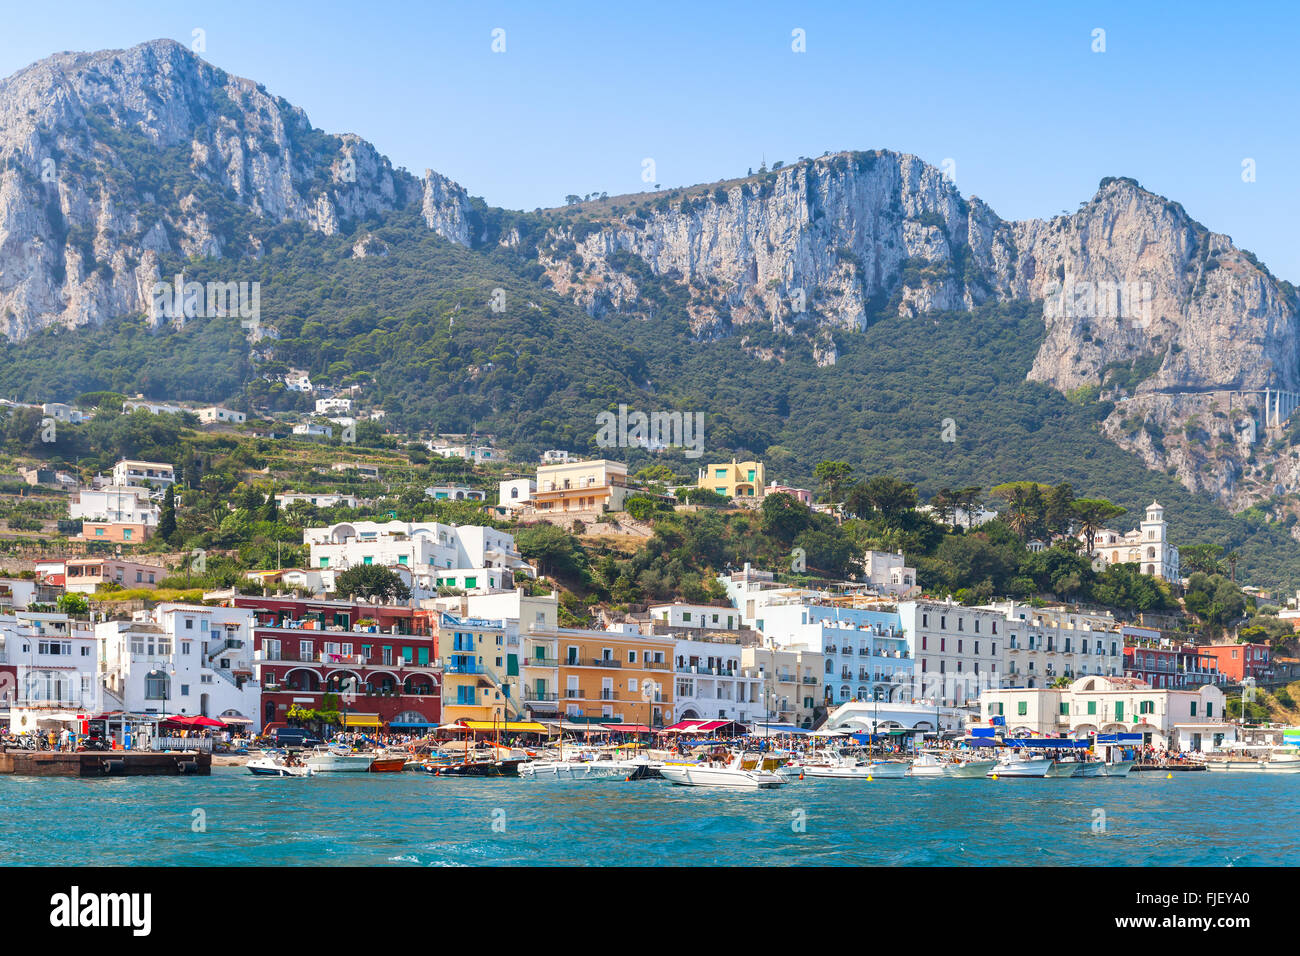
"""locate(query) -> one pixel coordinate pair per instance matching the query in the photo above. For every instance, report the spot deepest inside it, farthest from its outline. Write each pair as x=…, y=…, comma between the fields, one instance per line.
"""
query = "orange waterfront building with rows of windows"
x=619, y=677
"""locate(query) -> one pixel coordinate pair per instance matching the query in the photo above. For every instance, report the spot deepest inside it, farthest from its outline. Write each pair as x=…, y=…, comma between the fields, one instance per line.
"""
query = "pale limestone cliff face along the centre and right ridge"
x=1158, y=314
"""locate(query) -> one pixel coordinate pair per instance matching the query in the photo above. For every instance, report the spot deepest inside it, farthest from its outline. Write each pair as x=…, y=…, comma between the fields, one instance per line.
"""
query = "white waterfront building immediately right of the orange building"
x=710, y=682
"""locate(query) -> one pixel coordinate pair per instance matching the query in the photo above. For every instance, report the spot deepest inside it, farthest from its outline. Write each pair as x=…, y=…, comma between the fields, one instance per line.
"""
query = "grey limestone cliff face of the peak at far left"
x=110, y=161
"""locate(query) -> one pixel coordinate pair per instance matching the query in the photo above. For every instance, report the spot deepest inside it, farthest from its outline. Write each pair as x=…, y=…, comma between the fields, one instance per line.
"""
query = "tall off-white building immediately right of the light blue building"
x=959, y=650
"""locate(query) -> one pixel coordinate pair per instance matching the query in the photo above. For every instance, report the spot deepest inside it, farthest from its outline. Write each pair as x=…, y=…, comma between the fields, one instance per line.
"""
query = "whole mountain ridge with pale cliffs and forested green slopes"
x=752, y=300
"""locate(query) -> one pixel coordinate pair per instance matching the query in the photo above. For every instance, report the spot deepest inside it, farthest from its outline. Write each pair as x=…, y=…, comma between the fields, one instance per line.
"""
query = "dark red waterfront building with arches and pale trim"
x=380, y=660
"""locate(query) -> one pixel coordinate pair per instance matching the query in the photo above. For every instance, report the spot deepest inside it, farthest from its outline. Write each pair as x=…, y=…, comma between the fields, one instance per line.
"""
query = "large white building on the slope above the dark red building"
x=432, y=555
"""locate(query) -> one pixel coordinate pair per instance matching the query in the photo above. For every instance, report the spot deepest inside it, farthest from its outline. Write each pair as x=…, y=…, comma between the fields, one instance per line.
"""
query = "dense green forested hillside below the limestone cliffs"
x=418, y=322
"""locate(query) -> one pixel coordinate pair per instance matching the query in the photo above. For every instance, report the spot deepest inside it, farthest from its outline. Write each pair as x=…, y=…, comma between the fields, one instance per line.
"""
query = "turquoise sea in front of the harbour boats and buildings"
x=233, y=819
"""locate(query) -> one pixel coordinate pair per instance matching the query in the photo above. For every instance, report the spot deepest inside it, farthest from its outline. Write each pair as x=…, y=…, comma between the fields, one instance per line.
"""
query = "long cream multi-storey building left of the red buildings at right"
x=1045, y=644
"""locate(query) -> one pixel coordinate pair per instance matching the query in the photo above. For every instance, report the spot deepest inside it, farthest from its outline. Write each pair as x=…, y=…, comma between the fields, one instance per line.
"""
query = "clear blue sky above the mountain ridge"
x=1012, y=93
